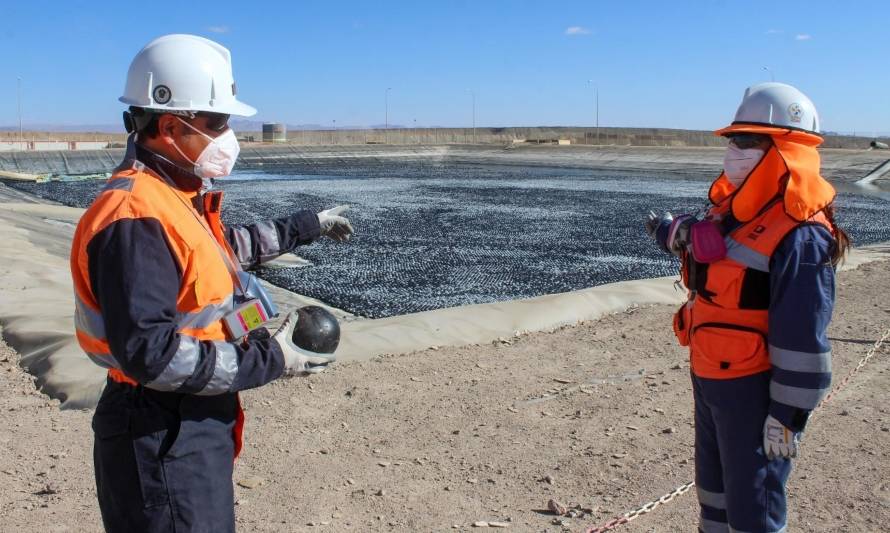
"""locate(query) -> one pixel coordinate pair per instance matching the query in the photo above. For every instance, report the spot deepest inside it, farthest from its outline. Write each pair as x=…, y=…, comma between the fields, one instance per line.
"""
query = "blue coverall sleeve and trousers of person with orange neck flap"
x=739, y=489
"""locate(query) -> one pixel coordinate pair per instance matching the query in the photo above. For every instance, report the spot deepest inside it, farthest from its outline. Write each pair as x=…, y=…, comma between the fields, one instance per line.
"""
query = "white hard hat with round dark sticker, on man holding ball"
x=184, y=73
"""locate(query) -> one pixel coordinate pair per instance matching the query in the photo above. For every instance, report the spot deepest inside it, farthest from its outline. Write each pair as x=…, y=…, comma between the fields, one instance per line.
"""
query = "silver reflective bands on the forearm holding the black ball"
x=185, y=362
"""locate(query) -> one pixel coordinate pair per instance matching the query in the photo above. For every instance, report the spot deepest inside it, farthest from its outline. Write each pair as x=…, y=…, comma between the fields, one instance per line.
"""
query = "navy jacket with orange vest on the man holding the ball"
x=151, y=282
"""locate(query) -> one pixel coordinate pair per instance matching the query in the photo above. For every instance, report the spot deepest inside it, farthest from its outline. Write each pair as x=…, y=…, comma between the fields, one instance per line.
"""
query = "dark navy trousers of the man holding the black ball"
x=164, y=460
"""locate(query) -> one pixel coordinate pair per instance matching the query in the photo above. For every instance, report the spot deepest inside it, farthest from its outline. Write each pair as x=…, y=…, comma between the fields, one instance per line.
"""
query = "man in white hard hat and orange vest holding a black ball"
x=162, y=301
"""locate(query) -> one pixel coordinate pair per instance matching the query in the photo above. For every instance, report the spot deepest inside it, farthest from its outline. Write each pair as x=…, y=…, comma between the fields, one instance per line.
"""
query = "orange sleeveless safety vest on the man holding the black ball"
x=206, y=292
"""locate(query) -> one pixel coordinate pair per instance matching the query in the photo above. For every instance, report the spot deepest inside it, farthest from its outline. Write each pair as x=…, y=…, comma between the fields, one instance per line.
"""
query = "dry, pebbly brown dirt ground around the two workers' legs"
x=597, y=416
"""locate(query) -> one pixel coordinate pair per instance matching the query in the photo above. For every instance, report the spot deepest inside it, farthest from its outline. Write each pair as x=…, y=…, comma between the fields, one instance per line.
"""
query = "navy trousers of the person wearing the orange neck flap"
x=738, y=488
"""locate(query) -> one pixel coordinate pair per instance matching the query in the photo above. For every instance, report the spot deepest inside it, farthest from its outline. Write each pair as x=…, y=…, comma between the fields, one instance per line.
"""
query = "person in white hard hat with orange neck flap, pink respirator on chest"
x=760, y=270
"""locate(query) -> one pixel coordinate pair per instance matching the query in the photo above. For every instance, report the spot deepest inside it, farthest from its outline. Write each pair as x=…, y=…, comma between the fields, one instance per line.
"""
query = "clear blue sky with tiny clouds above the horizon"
x=659, y=64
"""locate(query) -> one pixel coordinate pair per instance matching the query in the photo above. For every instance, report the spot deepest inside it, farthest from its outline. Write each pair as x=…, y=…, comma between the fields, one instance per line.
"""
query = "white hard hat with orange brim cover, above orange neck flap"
x=772, y=106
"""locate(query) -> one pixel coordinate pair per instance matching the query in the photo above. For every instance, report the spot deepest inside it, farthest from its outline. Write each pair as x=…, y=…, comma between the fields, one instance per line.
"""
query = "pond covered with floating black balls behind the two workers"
x=439, y=235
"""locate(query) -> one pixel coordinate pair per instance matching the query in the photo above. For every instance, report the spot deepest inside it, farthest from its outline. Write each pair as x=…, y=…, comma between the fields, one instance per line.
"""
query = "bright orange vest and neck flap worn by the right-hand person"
x=725, y=322
